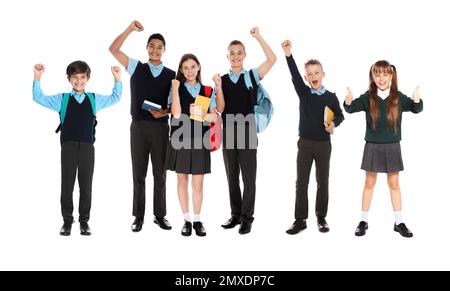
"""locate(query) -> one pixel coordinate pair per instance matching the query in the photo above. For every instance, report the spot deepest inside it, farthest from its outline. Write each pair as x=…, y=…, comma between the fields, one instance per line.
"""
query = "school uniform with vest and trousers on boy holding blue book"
x=149, y=136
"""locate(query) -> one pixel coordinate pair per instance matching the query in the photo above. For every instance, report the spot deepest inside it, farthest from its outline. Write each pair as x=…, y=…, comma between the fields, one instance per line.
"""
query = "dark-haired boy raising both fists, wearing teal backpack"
x=78, y=119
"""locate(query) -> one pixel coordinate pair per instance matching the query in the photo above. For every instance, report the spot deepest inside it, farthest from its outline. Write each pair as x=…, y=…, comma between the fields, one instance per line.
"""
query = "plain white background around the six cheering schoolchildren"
x=347, y=36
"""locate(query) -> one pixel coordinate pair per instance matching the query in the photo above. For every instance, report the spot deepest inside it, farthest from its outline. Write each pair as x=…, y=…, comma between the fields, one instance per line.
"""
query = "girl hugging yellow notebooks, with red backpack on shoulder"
x=187, y=154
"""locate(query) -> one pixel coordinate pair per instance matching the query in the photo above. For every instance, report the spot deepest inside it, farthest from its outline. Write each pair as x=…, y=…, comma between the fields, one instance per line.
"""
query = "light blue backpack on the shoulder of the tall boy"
x=264, y=107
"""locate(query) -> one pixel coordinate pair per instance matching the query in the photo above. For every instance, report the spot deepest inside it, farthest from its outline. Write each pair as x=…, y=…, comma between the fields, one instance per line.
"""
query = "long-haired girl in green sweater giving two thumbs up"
x=384, y=105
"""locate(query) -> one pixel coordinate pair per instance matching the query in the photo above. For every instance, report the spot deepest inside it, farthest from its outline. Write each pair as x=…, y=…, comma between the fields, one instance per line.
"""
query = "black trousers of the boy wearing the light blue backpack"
x=237, y=161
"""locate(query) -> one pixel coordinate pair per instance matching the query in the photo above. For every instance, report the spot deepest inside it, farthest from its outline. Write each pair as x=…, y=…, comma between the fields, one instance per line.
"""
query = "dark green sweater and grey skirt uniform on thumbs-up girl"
x=382, y=152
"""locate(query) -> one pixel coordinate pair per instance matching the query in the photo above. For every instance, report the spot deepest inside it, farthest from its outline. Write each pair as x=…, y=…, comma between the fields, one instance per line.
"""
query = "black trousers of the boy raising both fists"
x=75, y=157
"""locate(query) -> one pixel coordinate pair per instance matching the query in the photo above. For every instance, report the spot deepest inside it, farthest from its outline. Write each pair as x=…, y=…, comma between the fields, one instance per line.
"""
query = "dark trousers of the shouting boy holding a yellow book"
x=320, y=153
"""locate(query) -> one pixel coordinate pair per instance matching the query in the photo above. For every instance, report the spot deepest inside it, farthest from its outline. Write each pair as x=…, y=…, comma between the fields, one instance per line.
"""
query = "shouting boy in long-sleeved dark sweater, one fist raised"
x=314, y=144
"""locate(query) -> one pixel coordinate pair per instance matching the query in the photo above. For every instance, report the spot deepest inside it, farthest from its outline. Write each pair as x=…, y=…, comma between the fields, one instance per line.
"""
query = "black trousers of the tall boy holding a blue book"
x=149, y=139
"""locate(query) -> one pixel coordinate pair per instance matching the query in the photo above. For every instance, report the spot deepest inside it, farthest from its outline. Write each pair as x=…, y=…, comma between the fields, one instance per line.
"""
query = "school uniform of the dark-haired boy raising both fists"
x=77, y=144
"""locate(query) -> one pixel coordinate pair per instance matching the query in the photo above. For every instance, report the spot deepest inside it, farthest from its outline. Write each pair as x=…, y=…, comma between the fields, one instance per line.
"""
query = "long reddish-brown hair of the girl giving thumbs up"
x=392, y=100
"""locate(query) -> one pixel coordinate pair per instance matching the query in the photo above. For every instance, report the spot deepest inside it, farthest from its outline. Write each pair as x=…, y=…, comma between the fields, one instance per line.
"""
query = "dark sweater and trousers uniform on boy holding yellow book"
x=314, y=144
